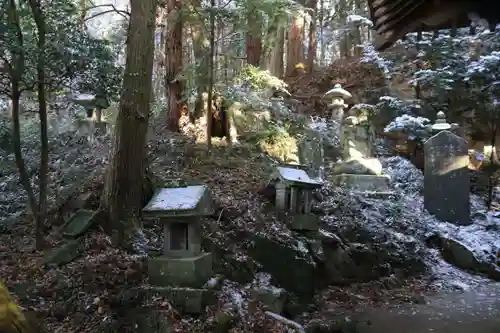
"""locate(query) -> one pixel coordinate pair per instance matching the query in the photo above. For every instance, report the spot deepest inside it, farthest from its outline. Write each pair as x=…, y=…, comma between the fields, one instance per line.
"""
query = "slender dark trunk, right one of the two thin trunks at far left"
x=42, y=111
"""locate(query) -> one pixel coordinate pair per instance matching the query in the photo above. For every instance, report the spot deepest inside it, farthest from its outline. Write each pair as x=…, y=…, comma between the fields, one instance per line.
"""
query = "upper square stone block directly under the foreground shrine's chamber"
x=180, y=272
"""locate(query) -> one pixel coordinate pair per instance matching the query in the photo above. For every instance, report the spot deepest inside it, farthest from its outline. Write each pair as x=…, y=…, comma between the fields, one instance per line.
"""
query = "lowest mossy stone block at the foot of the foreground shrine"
x=187, y=300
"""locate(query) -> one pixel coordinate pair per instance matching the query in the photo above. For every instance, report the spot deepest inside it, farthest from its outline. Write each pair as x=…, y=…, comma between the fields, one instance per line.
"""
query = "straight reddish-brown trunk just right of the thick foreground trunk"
x=173, y=56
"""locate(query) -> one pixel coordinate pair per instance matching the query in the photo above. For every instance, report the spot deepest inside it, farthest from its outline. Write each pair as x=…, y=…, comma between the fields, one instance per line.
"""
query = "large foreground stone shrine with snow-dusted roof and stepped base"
x=183, y=269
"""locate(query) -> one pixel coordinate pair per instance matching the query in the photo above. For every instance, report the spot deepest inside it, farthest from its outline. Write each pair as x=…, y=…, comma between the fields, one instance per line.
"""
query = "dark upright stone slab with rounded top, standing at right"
x=446, y=178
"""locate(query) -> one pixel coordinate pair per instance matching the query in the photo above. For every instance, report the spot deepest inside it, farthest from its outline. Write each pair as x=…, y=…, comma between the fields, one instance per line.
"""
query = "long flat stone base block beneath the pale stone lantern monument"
x=362, y=182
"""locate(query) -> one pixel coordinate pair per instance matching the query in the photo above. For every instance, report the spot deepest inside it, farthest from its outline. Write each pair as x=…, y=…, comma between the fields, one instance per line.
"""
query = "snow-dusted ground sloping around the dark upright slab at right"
x=403, y=221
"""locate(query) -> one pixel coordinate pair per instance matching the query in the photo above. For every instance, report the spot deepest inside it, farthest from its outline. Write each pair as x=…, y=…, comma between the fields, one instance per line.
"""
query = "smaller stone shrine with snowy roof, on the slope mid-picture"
x=294, y=190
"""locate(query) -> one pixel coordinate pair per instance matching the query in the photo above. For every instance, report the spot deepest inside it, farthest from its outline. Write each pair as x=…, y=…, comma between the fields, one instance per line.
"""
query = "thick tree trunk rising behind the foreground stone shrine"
x=123, y=194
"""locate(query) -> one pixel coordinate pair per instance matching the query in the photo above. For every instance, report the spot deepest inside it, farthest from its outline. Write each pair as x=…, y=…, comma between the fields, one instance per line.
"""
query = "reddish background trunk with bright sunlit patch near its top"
x=295, y=46
